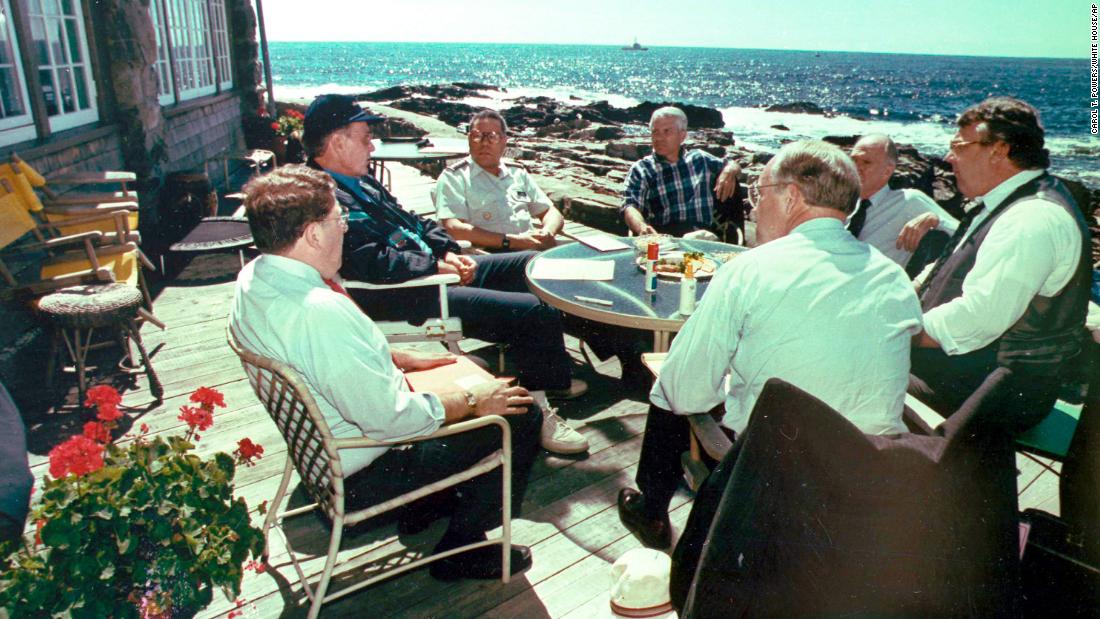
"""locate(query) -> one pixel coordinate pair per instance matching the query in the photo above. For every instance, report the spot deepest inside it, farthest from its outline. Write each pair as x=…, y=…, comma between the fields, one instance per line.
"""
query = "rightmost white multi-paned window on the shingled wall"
x=193, y=49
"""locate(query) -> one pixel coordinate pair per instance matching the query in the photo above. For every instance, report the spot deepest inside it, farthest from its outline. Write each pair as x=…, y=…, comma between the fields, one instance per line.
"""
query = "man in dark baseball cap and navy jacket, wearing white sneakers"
x=387, y=245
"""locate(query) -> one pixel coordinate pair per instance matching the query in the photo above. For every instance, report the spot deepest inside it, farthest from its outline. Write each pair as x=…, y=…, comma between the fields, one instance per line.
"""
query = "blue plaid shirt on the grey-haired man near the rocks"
x=680, y=192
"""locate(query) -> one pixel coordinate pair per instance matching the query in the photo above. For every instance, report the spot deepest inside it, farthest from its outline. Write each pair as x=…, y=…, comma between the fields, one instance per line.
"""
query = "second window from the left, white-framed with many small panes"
x=61, y=52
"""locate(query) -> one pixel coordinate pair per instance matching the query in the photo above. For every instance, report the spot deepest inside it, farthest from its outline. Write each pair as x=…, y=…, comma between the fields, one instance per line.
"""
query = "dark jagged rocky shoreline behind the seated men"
x=581, y=152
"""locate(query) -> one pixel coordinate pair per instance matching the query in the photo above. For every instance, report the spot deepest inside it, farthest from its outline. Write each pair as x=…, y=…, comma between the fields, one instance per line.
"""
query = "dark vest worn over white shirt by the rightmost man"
x=1050, y=330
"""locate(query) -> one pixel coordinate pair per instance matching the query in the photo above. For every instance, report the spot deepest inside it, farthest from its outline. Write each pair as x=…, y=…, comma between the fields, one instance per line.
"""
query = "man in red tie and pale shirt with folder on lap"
x=288, y=307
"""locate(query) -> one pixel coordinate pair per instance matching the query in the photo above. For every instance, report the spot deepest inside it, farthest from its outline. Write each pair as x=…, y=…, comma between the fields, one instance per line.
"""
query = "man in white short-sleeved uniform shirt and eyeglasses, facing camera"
x=490, y=203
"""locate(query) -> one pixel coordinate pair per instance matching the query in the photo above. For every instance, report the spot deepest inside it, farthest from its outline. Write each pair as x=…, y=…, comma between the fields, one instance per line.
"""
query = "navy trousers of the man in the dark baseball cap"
x=496, y=307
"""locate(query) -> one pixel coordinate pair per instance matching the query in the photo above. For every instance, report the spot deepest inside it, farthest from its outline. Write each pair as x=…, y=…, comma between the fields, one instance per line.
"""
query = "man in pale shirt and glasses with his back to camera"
x=812, y=306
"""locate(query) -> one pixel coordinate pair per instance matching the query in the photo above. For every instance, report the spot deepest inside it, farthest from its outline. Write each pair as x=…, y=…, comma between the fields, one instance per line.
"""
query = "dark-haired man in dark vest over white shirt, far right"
x=1011, y=289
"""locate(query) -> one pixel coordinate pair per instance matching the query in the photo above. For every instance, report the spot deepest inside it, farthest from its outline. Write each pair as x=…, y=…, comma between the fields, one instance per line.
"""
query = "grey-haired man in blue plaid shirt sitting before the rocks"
x=672, y=191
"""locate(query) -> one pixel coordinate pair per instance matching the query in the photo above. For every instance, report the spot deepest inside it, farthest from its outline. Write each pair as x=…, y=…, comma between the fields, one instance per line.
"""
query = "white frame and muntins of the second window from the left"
x=65, y=120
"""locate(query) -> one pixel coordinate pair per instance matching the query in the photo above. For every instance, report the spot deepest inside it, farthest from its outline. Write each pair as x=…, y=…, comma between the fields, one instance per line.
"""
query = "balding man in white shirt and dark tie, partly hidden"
x=894, y=222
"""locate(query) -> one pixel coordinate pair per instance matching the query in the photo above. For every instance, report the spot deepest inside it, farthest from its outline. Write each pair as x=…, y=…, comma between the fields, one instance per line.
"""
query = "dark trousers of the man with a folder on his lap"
x=478, y=509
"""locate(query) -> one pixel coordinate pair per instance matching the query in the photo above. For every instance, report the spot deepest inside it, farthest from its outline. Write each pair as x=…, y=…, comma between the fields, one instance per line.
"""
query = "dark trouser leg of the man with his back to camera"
x=659, y=470
